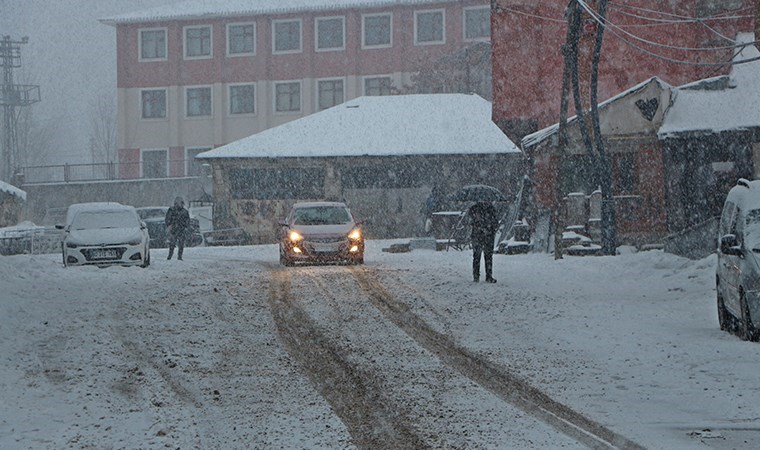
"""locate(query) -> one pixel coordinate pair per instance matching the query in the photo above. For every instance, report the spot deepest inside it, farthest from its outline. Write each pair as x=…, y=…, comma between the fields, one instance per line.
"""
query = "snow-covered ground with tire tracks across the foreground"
x=227, y=349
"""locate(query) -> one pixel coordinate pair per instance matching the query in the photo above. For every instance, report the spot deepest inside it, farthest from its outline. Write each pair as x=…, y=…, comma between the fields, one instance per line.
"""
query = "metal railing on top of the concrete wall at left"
x=67, y=173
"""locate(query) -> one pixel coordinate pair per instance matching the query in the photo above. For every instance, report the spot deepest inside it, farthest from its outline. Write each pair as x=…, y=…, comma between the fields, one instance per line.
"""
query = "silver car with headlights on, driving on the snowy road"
x=321, y=232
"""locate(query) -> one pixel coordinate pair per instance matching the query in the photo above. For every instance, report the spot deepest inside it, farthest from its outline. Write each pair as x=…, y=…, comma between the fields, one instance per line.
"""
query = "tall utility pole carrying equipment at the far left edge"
x=12, y=96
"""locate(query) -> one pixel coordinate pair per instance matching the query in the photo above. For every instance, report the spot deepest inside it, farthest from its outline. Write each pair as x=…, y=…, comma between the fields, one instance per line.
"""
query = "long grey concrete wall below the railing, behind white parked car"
x=43, y=199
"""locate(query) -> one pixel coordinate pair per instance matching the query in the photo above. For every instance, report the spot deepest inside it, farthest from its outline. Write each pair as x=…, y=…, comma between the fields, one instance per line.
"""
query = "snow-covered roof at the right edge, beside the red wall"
x=737, y=107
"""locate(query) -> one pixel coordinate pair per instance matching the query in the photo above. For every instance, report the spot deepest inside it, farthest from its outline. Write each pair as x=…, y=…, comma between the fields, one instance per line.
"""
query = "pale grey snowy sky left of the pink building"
x=72, y=57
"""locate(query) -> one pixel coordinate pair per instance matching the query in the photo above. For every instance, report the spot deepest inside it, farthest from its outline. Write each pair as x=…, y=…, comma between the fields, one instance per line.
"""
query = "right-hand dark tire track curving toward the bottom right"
x=487, y=374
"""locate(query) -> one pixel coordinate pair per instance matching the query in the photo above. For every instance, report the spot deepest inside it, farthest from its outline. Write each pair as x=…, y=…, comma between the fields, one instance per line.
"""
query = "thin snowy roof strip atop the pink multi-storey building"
x=234, y=8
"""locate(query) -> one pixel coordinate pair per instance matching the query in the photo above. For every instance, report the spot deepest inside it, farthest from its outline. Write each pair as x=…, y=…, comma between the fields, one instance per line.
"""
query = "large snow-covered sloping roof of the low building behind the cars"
x=423, y=124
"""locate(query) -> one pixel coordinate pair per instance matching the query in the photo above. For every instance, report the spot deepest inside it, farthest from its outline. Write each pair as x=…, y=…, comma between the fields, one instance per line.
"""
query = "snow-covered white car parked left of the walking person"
x=104, y=234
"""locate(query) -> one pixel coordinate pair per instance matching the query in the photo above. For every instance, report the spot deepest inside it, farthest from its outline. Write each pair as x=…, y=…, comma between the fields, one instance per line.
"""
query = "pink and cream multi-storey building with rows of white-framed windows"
x=199, y=75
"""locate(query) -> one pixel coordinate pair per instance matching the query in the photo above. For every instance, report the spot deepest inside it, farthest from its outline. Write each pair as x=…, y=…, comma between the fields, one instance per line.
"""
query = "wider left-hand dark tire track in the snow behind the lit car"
x=354, y=395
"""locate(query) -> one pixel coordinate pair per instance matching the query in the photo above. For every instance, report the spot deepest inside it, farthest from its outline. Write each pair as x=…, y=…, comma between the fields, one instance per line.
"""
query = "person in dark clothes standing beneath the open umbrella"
x=484, y=223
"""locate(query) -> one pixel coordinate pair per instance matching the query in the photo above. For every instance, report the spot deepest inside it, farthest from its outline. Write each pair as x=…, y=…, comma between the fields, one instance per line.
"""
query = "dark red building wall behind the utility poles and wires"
x=526, y=37
